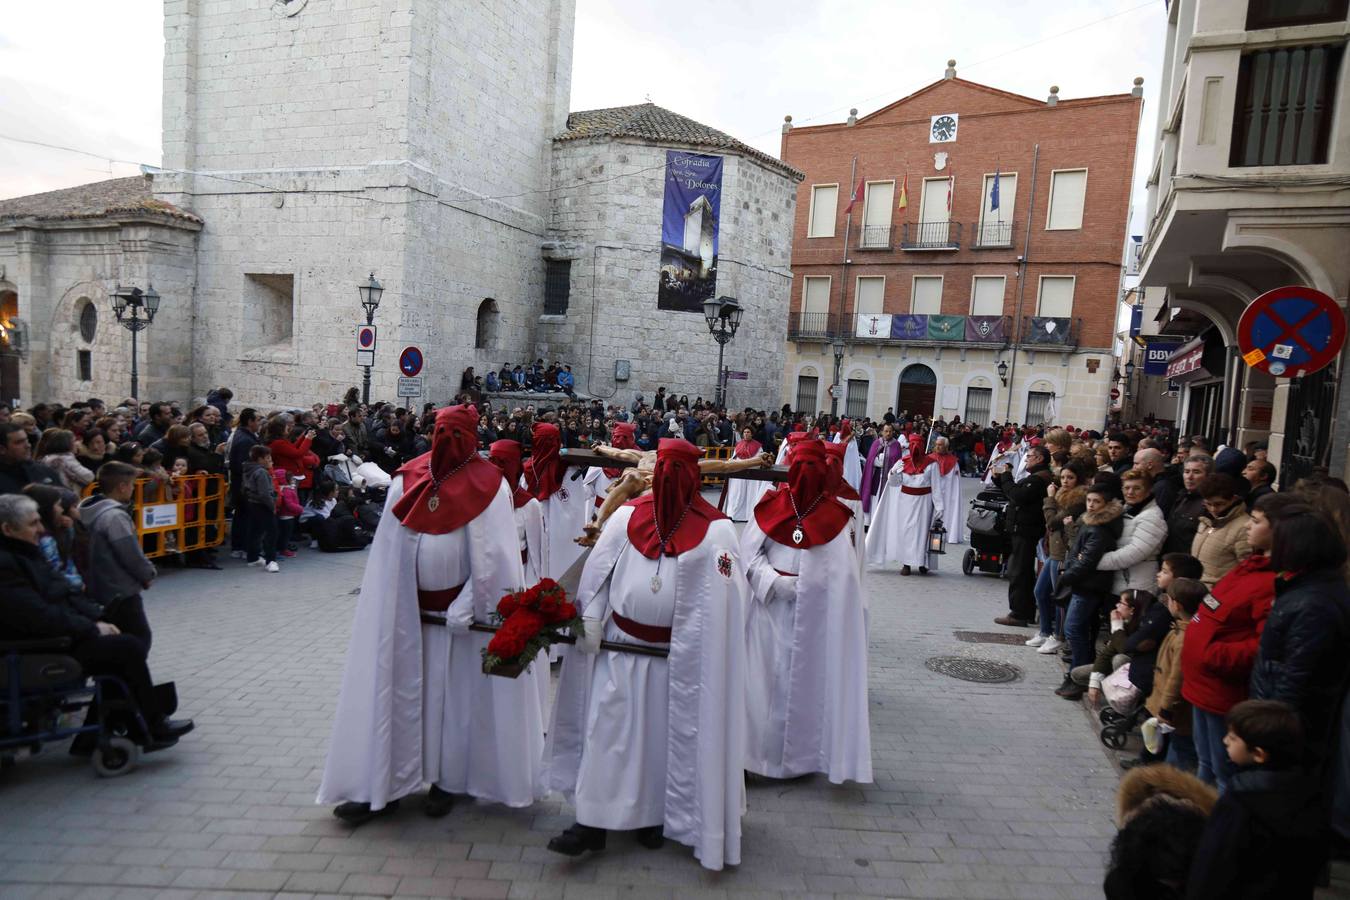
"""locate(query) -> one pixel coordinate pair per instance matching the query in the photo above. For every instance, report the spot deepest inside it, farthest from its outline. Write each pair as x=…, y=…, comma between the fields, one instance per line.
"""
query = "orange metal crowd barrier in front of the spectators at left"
x=187, y=515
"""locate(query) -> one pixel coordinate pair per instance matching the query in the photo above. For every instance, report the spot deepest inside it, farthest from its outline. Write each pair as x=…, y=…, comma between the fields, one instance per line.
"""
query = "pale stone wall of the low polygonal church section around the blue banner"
x=607, y=218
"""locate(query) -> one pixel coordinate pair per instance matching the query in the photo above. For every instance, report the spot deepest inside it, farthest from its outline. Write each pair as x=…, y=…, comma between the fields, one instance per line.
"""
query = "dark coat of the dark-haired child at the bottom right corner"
x=1264, y=840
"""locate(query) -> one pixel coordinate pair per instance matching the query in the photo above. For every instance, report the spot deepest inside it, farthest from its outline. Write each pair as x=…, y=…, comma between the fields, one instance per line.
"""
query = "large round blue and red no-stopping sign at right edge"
x=1291, y=333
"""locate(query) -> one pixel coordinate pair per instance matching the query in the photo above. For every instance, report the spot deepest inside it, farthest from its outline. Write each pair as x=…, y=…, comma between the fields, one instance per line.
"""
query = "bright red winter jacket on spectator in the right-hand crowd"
x=1221, y=644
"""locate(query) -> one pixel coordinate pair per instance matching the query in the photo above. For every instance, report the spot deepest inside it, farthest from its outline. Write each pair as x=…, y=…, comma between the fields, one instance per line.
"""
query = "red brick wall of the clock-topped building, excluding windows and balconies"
x=997, y=130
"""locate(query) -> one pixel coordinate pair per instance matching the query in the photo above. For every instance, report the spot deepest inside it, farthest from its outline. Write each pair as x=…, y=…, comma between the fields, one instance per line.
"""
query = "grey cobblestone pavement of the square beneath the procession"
x=982, y=791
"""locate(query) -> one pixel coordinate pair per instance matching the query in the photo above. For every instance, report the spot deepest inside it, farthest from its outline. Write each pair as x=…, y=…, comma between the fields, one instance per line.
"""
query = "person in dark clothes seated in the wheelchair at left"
x=40, y=604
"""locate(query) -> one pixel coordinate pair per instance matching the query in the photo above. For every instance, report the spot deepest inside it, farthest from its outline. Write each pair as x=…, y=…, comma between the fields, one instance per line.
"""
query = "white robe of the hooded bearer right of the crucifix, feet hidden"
x=807, y=660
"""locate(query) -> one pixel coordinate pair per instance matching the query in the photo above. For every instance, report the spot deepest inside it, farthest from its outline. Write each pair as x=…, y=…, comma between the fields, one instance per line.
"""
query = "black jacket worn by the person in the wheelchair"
x=40, y=604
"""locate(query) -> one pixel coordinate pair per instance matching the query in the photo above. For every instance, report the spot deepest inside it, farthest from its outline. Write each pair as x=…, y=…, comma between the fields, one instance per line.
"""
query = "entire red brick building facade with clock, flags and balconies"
x=950, y=307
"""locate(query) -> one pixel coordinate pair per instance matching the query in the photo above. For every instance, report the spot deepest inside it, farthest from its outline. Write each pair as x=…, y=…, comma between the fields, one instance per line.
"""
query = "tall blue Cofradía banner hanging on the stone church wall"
x=689, y=231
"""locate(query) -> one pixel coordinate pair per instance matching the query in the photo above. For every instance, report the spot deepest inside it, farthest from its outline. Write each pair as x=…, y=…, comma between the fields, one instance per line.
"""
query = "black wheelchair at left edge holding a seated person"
x=41, y=687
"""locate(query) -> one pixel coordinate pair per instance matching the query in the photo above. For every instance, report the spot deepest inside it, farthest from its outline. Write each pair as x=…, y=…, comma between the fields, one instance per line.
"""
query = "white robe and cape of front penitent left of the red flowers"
x=415, y=706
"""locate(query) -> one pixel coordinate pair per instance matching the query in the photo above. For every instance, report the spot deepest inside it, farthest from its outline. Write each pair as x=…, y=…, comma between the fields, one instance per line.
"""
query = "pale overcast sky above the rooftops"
x=87, y=74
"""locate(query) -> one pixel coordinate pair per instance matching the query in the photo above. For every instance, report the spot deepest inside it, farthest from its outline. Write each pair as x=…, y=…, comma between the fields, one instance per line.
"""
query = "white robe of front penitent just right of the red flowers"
x=638, y=741
